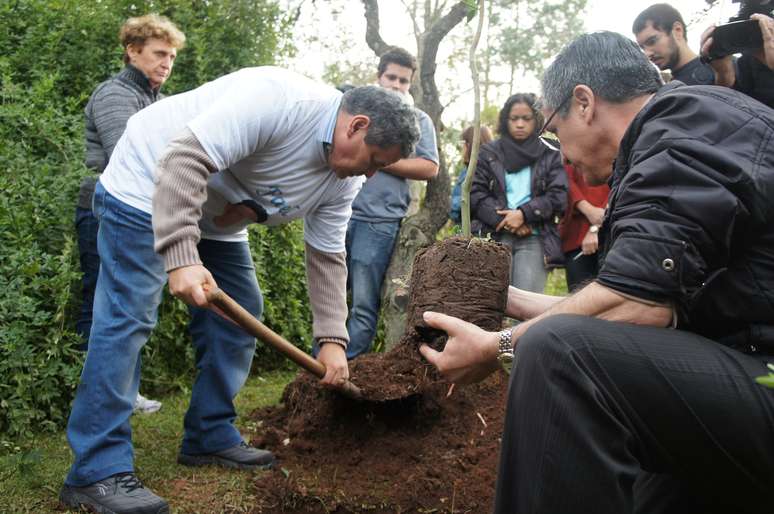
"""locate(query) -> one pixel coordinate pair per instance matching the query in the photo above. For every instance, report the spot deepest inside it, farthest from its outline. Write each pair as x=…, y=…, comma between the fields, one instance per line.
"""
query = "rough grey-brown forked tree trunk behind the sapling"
x=419, y=230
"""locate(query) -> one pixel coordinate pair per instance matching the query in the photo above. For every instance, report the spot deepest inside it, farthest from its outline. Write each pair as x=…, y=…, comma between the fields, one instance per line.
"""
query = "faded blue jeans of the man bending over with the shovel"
x=126, y=301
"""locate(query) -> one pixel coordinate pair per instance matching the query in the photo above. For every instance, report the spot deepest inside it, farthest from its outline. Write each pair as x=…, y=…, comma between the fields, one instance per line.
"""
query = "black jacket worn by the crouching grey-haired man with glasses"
x=691, y=213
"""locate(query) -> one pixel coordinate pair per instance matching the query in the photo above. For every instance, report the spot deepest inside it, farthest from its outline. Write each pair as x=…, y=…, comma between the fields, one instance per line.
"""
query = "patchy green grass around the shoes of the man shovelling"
x=32, y=471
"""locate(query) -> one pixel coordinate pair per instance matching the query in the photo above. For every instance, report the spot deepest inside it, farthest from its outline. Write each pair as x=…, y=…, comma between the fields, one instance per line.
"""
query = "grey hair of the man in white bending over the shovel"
x=393, y=121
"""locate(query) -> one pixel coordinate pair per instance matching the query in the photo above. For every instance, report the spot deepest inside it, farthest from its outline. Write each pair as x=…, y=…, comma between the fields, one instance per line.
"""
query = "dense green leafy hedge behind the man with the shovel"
x=55, y=53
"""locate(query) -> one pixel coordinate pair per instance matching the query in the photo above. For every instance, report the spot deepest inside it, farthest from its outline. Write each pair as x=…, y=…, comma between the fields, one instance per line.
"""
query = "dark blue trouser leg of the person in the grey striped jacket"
x=86, y=225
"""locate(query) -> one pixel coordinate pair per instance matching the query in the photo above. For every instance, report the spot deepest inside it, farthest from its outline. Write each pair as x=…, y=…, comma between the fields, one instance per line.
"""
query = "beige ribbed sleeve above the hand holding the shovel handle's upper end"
x=181, y=189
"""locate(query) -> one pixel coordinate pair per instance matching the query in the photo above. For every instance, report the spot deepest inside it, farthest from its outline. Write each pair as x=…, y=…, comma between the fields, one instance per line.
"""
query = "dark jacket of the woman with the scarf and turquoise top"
x=544, y=211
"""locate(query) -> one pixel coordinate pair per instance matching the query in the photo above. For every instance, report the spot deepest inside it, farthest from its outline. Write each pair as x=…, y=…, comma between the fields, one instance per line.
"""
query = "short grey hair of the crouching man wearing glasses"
x=612, y=66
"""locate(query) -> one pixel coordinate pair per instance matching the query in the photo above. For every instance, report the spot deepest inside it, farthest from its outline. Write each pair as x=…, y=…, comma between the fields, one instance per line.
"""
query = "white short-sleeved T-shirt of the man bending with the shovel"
x=264, y=128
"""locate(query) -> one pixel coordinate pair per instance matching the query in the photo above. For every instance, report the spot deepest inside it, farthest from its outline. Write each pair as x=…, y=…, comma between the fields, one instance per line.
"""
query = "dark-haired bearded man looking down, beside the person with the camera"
x=660, y=31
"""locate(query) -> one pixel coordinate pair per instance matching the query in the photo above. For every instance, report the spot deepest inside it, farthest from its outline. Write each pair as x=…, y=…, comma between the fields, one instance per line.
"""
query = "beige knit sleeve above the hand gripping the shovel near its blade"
x=326, y=276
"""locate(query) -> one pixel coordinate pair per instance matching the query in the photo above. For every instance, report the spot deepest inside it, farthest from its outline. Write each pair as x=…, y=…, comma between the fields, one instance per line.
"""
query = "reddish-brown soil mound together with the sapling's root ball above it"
x=418, y=445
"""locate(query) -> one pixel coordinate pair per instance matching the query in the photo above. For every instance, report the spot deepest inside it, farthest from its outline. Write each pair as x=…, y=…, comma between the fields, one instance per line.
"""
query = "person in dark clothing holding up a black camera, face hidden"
x=753, y=73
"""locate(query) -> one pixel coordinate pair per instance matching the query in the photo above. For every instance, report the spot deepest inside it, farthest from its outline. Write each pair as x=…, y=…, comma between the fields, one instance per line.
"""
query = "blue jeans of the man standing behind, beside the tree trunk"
x=369, y=249
